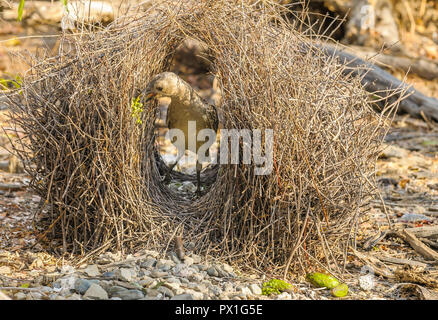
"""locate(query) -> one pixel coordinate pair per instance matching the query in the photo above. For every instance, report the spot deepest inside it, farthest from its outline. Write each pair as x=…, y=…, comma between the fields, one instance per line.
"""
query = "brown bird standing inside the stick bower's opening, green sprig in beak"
x=186, y=105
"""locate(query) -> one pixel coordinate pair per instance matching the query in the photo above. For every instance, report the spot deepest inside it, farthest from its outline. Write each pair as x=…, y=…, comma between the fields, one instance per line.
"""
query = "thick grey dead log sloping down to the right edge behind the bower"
x=383, y=84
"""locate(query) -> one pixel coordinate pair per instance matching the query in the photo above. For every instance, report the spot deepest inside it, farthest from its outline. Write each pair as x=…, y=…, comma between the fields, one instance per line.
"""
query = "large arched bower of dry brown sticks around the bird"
x=95, y=165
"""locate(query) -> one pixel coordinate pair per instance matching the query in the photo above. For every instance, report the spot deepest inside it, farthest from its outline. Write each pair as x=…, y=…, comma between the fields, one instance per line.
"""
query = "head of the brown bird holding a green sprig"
x=165, y=84
